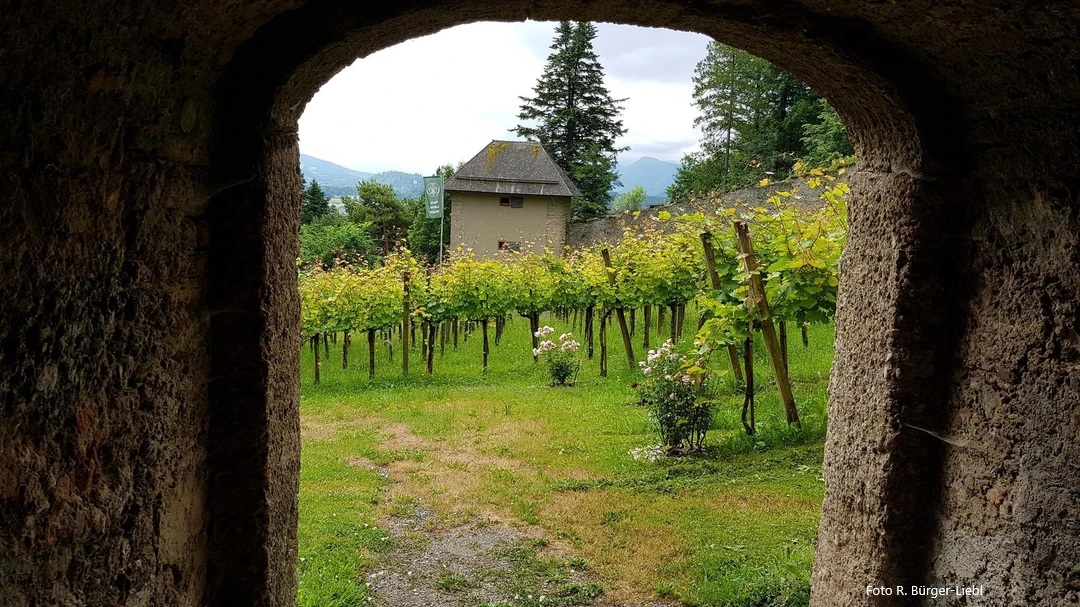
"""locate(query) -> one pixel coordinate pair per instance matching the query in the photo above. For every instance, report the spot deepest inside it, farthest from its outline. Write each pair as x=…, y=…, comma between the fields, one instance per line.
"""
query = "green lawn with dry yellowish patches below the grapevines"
x=734, y=527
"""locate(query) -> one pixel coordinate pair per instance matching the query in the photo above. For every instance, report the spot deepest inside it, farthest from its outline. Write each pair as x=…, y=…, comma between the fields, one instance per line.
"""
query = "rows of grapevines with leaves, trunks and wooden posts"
x=745, y=269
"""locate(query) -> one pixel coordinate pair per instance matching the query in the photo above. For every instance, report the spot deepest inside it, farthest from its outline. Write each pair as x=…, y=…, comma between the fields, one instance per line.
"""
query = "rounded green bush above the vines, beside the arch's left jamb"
x=333, y=240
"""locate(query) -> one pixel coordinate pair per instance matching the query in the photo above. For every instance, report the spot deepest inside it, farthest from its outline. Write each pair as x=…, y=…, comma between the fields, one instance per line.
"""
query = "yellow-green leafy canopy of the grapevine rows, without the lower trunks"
x=659, y=263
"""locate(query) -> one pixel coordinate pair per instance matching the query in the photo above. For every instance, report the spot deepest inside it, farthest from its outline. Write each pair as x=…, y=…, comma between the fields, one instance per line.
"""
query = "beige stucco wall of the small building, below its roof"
x=479, y=223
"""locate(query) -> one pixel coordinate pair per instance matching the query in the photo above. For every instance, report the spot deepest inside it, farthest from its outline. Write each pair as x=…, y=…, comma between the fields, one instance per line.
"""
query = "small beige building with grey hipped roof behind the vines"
x=511, y=196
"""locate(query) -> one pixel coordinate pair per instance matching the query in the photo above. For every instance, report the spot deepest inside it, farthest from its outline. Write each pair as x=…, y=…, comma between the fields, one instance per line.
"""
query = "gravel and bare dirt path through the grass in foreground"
x=471, y=562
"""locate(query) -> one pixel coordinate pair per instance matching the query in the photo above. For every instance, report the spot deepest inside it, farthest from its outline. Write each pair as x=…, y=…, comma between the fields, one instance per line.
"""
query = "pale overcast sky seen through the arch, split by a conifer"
x=441, y=99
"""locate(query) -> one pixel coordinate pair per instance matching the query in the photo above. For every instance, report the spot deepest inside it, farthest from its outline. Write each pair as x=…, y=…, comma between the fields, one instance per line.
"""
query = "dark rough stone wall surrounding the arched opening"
x=148, y=318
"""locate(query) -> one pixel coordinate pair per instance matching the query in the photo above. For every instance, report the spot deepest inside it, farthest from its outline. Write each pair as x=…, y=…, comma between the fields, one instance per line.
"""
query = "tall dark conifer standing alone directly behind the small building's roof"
x=575, y=117
